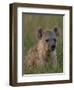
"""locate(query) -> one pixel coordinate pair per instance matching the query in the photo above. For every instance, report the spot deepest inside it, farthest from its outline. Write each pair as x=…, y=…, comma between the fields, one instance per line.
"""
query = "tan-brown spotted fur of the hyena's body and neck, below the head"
x=38, y=55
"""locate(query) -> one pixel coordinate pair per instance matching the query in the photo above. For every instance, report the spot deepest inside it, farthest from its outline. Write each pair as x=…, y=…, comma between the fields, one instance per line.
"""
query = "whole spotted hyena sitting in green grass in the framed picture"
x=44, y=49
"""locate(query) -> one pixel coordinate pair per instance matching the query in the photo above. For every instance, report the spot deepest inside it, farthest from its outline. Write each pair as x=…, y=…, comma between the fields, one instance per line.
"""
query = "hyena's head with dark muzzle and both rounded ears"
x=48, y=39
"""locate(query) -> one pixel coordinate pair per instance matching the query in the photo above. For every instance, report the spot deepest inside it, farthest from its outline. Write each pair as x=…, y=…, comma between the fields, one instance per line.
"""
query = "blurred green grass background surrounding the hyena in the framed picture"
x=31, y=22
